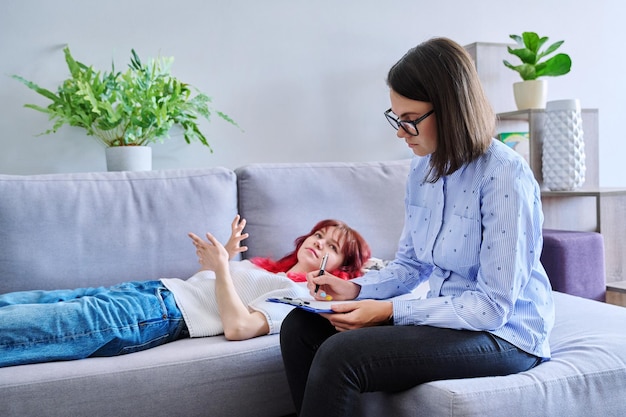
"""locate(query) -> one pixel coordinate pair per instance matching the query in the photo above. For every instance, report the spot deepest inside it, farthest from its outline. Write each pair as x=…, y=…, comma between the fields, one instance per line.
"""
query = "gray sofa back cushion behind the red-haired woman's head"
x=283, y=201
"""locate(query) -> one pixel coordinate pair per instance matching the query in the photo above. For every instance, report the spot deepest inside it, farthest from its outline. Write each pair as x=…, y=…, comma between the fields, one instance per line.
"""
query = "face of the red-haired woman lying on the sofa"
x=314, y=247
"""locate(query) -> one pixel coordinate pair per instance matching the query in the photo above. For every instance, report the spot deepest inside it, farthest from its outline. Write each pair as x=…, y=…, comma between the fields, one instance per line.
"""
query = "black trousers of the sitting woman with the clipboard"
x=327, y=370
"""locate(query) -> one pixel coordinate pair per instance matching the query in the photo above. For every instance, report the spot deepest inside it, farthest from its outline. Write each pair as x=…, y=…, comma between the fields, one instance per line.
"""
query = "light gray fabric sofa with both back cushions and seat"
x=87, y=229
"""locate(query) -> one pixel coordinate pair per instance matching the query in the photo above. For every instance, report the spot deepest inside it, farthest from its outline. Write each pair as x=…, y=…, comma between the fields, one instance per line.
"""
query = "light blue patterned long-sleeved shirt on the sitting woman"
x=476, y=236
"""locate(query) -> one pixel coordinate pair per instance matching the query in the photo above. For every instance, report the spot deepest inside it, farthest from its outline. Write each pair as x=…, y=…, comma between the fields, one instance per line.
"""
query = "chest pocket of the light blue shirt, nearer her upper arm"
x=460, y=243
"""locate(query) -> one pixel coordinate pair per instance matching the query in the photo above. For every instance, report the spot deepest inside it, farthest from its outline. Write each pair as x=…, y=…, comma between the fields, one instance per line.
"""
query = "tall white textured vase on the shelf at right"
x=563, y=152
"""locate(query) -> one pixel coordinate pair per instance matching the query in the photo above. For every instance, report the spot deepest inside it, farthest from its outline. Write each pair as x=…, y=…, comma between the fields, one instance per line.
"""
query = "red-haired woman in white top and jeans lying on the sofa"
x=223, y=297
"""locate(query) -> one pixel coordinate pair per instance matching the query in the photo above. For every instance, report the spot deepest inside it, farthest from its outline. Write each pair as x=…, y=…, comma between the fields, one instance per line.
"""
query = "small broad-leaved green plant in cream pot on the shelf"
x=532, y=91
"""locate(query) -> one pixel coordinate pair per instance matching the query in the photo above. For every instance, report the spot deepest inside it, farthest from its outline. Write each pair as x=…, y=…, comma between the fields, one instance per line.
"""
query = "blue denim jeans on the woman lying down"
x=42, y=326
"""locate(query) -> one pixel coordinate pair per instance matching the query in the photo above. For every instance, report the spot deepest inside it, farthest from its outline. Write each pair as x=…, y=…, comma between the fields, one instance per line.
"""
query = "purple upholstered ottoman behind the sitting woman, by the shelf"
x=574, y=262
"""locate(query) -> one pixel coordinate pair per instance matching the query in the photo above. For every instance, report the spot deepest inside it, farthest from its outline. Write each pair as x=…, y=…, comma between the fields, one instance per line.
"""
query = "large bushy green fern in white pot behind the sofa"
x=126, y=110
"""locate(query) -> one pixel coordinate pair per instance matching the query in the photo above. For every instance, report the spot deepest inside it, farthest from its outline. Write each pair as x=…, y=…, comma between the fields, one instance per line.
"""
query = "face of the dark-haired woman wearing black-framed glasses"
x=406, y=109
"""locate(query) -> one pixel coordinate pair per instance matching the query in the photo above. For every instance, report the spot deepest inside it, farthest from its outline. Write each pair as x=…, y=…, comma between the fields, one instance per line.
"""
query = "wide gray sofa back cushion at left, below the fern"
x=88, y=229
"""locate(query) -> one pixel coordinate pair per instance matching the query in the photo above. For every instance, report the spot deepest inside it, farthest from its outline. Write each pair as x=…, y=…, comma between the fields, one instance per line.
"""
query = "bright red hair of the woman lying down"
x=355, y=252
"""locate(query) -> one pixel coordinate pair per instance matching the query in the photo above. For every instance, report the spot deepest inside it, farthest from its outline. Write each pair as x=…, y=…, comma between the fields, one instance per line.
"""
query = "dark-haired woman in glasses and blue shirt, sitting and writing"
x=473, y=231
